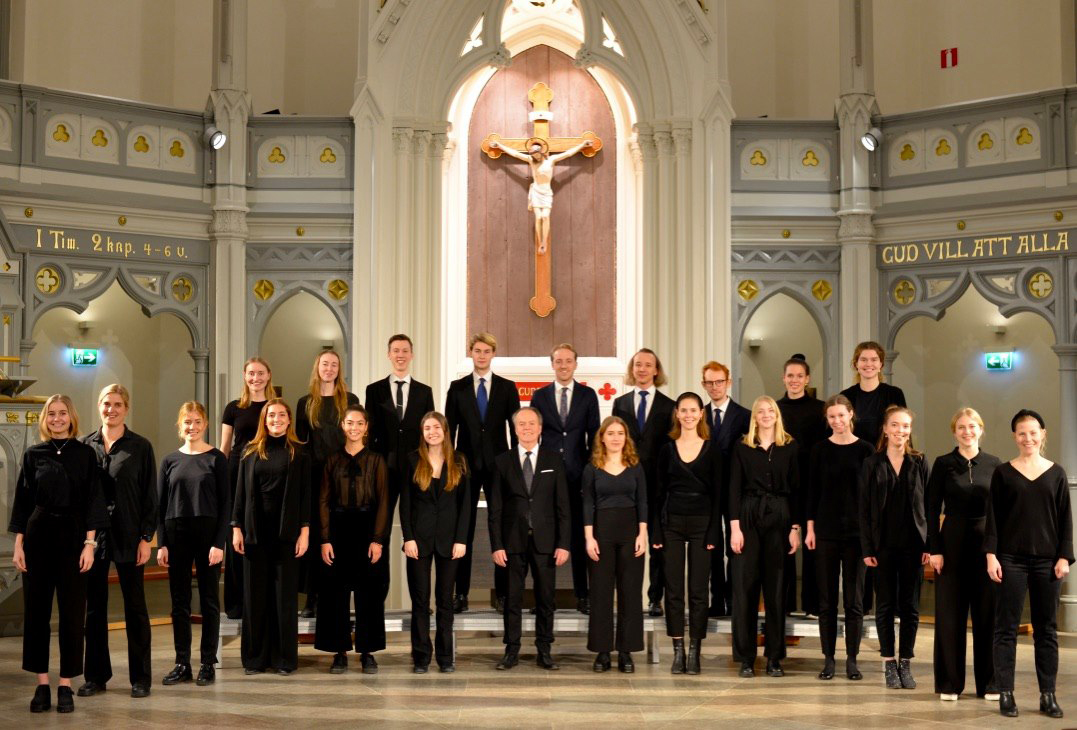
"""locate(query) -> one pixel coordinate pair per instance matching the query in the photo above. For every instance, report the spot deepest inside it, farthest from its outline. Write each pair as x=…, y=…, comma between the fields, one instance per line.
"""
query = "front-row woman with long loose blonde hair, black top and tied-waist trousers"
x=764, y=528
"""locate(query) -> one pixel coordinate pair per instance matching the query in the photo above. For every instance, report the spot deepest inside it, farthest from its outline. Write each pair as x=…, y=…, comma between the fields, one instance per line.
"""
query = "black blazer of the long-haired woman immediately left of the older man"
x=436, y=518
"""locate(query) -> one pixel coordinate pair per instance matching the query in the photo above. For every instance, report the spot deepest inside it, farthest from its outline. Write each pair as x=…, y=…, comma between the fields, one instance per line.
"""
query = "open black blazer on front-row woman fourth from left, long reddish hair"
x=296, y=506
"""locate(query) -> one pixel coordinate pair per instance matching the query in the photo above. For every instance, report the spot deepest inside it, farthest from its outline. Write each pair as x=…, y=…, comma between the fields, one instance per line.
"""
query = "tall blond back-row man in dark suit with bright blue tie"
x=480, y=409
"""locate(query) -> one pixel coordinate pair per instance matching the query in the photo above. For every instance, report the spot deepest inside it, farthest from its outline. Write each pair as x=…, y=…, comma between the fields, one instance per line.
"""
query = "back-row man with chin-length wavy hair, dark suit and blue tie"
x=650, y=417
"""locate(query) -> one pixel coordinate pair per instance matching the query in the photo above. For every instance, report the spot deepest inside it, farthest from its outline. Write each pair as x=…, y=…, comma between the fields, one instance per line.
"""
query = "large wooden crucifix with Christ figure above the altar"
x=542, y=152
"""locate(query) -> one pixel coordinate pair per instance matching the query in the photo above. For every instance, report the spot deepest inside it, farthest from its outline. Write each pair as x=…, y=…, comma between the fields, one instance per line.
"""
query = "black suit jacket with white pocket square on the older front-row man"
x=509, y=503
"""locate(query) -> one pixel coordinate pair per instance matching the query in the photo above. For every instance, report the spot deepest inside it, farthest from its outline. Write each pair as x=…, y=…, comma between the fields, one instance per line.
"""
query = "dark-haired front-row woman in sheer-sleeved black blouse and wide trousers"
x=355, y=522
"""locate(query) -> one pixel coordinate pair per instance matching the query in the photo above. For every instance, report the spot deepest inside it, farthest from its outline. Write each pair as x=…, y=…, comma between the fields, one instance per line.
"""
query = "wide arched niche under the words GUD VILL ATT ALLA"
x=941, y=367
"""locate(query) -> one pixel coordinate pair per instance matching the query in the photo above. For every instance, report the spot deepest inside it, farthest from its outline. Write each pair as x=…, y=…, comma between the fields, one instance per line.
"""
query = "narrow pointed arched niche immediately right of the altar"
x=778, y=328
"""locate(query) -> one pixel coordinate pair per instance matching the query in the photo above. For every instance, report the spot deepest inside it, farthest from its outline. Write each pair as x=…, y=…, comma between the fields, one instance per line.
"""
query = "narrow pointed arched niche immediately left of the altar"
x=299, y=329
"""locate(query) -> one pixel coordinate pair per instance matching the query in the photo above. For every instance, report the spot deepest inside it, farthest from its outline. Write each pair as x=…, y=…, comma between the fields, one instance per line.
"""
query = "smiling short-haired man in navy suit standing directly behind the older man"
x=570, y=419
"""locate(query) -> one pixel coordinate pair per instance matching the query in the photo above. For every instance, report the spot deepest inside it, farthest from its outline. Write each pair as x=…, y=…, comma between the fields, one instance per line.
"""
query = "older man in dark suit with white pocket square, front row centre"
x=529, y=529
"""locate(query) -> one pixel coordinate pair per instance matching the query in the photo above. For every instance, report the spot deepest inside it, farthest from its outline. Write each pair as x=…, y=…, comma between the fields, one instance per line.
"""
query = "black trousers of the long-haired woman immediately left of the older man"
x=418, y=585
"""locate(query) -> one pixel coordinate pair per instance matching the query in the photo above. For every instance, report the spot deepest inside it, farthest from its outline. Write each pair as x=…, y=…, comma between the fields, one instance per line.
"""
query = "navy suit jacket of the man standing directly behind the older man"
x=572, y=440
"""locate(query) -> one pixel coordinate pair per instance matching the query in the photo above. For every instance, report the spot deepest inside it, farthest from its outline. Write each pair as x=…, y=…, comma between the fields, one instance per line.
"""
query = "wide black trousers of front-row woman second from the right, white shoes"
x=962, y=587
